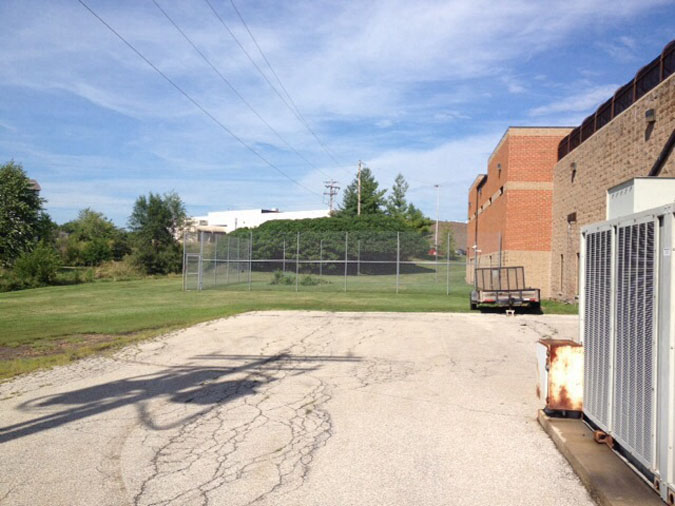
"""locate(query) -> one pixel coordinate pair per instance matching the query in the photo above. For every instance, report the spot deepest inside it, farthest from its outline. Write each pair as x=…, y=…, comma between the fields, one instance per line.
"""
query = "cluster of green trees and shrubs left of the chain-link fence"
x=34, y=249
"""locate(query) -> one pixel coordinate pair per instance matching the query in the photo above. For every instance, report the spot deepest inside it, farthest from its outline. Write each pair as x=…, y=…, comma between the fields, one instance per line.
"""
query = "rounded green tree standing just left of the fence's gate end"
x=155, y=223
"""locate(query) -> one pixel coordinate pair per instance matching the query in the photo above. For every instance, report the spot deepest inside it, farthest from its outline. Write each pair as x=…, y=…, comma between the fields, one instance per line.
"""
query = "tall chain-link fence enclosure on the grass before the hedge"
x=320, y=261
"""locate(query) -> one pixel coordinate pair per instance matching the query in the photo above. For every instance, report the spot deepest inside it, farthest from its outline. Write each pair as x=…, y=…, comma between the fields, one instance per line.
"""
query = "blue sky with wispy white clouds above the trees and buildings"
x=424, y=88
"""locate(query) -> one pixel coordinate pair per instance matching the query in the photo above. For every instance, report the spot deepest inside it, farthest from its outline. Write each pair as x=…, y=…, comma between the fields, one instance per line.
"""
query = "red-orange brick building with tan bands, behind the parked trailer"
x=510, y=206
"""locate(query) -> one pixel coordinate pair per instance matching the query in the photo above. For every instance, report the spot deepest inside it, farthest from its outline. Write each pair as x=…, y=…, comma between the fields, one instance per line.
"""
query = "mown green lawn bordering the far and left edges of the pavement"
x=54, y=325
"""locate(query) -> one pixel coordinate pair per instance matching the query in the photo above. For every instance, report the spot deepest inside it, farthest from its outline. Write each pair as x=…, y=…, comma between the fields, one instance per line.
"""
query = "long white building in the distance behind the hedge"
x=229, y=221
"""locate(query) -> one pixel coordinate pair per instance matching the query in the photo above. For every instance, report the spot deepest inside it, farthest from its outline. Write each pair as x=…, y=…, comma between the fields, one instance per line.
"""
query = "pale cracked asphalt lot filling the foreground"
x=294, y=408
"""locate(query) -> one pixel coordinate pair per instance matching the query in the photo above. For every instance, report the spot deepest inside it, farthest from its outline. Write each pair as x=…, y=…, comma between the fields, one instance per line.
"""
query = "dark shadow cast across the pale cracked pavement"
x=203, y=386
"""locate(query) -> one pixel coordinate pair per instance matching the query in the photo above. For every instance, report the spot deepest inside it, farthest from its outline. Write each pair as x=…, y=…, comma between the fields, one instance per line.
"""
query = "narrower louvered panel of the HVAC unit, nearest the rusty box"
x=597, y=331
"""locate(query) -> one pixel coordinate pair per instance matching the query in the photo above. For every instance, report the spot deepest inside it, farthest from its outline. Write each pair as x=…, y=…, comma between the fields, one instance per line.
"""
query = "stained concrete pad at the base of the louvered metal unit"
x=607, y=477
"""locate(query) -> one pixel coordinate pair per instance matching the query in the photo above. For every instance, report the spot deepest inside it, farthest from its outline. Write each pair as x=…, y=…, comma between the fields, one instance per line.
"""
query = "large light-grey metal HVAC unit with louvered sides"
x=627, y=294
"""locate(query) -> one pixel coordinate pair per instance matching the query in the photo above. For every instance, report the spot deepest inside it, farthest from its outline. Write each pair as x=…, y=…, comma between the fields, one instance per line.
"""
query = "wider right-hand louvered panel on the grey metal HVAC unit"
x=633, y=396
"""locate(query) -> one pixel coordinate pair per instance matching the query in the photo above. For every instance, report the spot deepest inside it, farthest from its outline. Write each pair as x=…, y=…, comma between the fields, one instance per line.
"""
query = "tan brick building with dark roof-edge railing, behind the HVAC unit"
x=630, y=135
